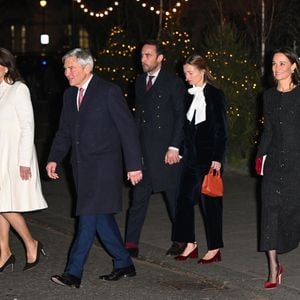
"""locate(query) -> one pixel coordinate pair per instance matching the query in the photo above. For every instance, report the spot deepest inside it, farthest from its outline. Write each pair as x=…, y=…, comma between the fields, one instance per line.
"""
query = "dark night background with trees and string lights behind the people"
x=235, y=36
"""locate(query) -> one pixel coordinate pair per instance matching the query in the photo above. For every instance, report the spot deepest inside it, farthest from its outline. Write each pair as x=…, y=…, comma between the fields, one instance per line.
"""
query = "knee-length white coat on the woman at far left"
x=17, y=149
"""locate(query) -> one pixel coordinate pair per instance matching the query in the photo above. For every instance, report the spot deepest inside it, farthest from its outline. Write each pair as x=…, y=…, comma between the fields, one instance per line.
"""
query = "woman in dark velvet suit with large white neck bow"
x=204, y=147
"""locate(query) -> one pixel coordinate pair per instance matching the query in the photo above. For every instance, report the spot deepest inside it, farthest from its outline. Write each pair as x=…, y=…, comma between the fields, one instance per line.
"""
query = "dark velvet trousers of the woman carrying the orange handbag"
x=211, y=209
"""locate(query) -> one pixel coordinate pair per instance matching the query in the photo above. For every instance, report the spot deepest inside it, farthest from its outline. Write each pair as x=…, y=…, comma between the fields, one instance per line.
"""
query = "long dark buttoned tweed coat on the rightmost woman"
x=280, y=215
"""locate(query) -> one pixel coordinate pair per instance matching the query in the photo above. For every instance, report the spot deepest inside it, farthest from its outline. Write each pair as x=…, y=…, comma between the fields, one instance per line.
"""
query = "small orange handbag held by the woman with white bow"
x=213, y=184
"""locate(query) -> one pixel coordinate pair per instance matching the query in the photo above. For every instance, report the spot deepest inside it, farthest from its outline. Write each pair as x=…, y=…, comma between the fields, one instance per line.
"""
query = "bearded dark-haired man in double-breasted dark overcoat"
x=160, y=118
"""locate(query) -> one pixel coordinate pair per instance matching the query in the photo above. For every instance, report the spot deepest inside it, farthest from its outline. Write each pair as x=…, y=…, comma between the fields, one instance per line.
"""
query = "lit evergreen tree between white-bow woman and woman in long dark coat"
x=239, y=78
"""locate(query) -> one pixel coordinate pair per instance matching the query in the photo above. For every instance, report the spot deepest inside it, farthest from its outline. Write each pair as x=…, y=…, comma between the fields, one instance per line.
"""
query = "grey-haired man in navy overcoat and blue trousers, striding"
x=98, y=127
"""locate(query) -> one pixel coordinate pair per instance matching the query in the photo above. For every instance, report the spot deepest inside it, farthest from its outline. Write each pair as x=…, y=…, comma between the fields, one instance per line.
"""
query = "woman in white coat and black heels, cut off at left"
x=20, y=186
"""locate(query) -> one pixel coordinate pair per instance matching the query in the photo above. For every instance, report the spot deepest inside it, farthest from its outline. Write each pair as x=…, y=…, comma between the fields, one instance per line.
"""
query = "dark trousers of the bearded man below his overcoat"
x=140, y=200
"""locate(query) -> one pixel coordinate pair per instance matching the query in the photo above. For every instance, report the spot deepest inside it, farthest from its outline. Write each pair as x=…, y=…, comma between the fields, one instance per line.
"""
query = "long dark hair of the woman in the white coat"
x=8, y=60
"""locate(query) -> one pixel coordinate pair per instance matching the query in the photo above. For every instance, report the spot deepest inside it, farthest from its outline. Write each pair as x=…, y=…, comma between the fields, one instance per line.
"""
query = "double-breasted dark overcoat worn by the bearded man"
x=160, y=120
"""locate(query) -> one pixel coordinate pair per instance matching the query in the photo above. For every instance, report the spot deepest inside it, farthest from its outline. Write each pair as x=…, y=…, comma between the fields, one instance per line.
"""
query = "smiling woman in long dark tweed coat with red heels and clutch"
x=280, y=150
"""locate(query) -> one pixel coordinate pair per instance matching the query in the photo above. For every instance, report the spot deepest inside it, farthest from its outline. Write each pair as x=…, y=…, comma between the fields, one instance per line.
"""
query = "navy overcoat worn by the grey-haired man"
x=99, y=134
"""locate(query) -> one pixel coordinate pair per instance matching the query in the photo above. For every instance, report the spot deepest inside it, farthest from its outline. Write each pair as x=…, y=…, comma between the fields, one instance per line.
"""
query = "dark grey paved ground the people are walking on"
x=240, y=275
